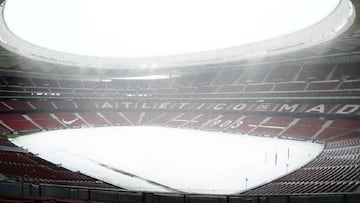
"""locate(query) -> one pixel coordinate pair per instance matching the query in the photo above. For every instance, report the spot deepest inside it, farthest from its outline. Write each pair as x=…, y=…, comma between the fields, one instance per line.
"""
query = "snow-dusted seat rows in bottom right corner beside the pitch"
x=335, y=170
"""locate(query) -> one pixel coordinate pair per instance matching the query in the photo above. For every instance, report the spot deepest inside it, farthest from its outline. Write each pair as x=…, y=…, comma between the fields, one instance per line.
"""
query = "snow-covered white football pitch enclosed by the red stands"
x=186, y=160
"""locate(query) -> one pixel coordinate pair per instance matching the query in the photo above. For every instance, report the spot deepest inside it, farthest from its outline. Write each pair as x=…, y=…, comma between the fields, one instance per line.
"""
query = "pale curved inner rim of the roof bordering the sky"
x=330, y=27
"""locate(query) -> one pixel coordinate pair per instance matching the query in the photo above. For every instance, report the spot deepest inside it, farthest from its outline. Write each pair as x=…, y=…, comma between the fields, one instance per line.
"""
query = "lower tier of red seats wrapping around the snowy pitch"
x=336, y=170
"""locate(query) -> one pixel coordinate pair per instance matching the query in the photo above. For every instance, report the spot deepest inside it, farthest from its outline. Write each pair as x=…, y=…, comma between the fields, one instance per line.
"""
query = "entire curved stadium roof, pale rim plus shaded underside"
x=321, y=40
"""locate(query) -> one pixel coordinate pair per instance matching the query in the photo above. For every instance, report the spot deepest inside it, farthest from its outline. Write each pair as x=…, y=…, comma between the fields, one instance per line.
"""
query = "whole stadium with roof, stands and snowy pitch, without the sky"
x=302, y=87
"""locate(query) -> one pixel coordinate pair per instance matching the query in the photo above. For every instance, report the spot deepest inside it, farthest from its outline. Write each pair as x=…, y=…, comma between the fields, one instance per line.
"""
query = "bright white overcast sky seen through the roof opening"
x=141, y=28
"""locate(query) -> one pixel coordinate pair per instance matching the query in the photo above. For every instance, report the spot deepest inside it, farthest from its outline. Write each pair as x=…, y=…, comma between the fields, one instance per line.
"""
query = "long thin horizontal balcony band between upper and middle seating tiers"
x=330, y=94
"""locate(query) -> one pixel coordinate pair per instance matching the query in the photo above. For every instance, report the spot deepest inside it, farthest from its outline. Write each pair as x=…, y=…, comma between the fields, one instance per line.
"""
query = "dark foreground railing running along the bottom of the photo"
x=124, y=196
